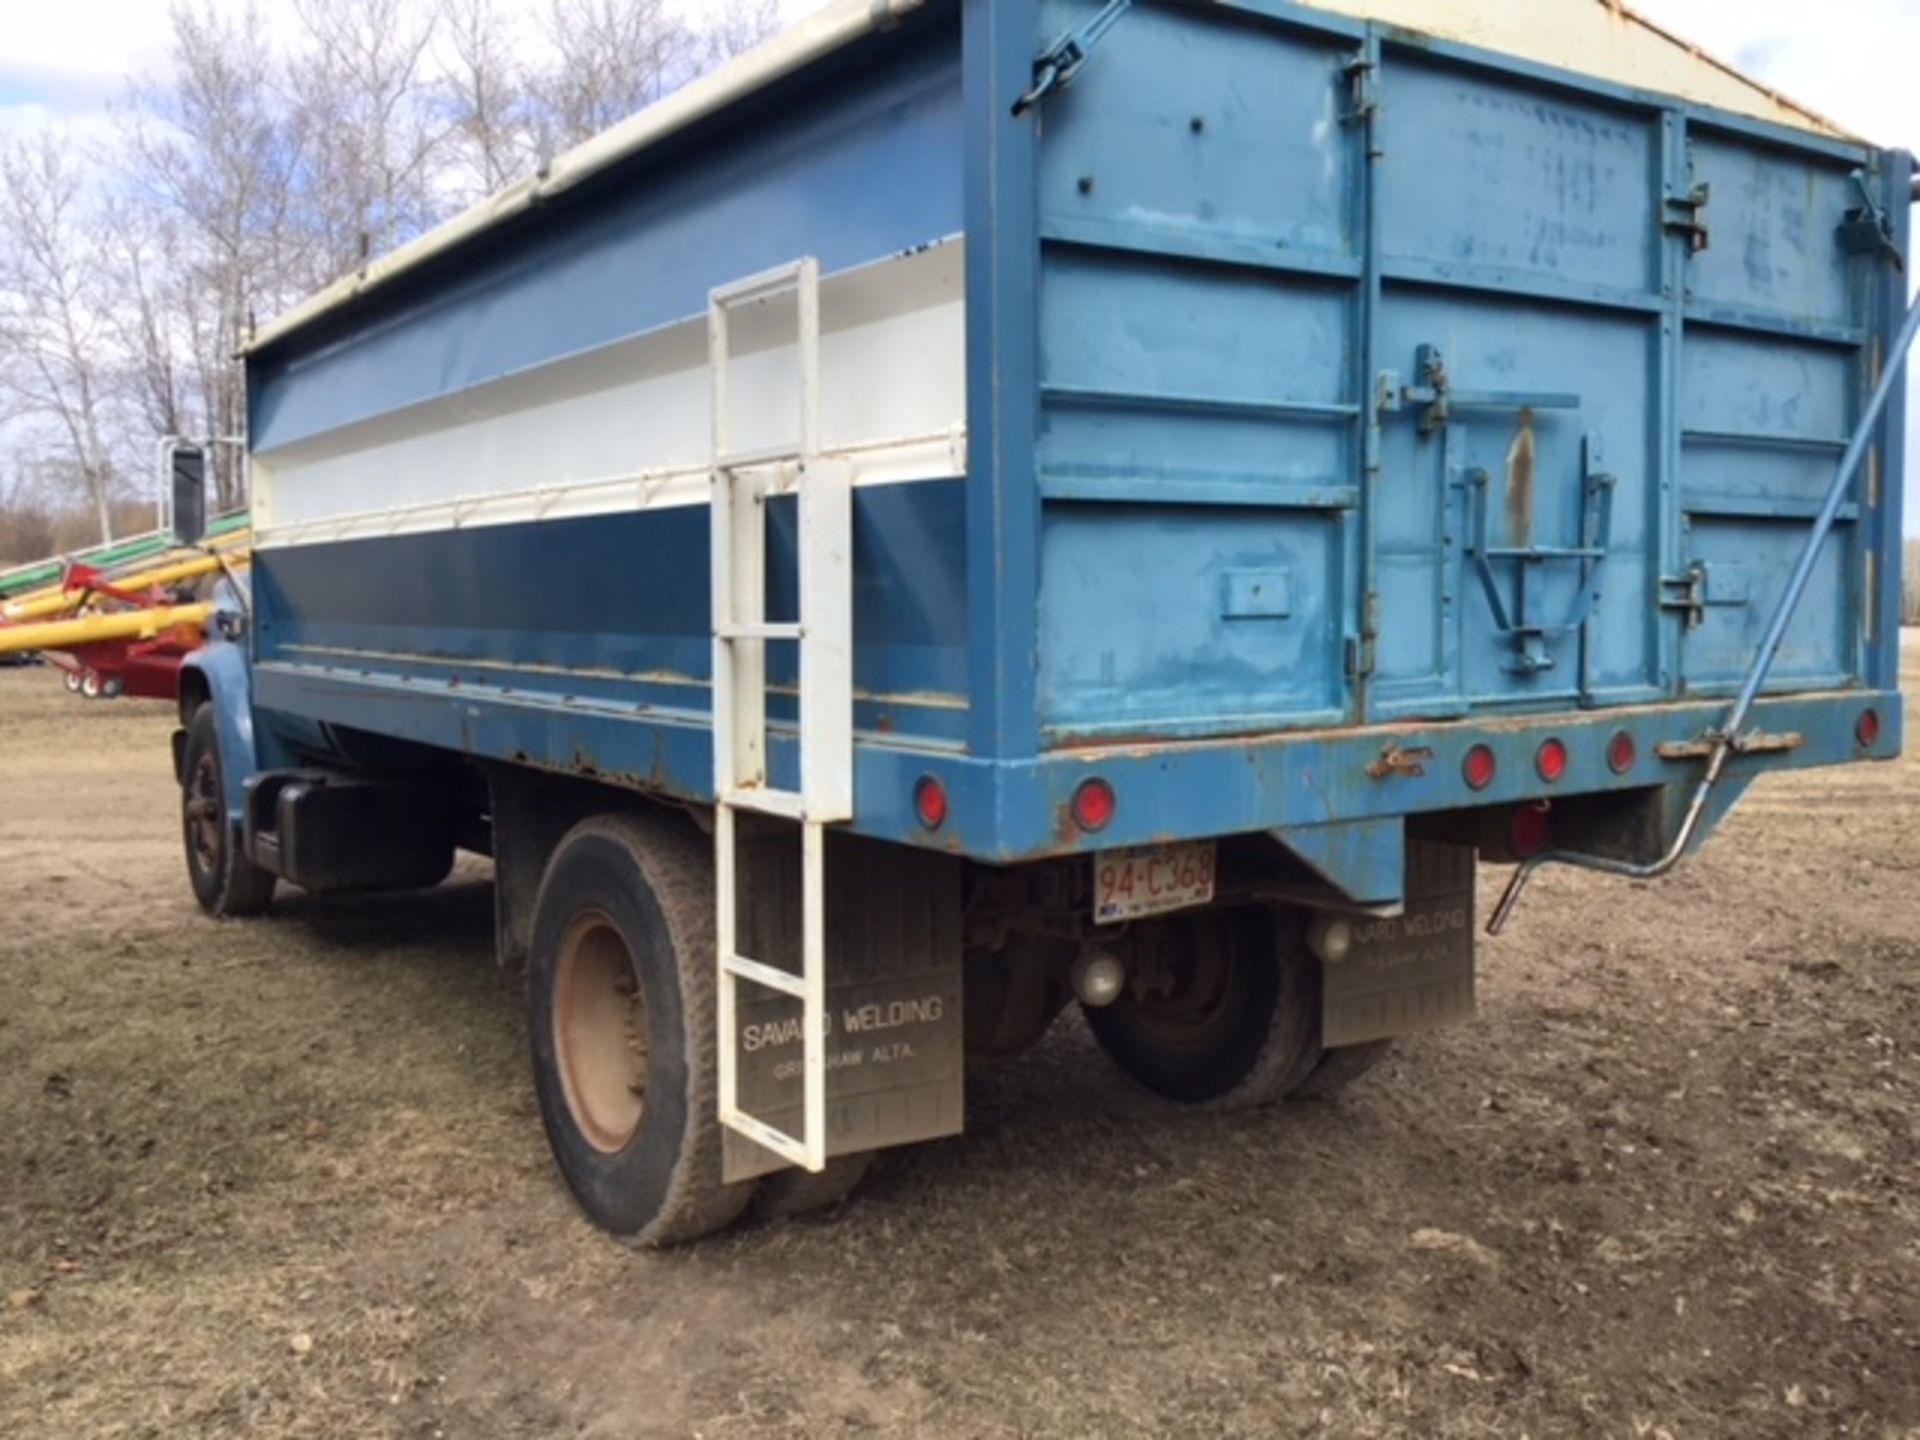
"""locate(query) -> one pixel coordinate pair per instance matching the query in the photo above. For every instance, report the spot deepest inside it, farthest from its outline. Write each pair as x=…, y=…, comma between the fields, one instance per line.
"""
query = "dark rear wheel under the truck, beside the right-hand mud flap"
x=1218, y=1009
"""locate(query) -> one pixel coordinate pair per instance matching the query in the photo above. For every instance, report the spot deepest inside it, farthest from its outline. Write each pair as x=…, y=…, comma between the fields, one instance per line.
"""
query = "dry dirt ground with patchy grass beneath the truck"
x=285, y=1178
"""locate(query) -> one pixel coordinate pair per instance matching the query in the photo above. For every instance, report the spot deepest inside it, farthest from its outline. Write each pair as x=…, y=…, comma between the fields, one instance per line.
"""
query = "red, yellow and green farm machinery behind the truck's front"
x=120, y=619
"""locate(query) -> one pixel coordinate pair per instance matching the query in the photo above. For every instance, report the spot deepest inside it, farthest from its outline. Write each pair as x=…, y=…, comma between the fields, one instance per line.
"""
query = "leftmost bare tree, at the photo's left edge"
x=55, y=300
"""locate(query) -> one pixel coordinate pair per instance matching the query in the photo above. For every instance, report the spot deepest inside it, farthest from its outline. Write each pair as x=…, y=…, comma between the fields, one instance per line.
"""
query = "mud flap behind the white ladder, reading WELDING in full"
x=896, y=1028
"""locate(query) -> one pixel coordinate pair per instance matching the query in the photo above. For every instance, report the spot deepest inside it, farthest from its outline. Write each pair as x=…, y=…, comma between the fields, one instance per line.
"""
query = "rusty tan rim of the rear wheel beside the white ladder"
x=600, y=1034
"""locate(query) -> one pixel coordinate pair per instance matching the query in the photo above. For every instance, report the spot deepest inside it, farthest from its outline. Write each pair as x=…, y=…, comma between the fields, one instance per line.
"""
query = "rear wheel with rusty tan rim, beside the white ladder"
x=621, y=986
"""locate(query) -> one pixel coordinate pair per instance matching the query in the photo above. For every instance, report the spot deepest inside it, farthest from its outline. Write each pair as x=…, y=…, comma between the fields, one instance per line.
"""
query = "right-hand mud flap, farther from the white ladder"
x=1414, y=971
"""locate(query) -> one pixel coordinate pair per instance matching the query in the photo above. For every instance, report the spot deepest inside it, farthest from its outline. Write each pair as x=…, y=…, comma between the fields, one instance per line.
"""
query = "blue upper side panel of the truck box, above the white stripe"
x=853, y=174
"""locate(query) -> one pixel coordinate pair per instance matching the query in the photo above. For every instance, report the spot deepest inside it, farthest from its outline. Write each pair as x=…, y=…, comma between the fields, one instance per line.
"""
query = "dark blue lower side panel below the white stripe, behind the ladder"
x=617, y=608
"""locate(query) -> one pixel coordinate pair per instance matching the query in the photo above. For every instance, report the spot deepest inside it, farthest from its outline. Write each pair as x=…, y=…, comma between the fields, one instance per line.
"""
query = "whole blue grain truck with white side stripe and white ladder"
x=992, y=506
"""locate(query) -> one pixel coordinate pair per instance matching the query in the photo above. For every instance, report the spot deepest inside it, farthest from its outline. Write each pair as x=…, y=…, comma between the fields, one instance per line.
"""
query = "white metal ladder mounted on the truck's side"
x=742, y=483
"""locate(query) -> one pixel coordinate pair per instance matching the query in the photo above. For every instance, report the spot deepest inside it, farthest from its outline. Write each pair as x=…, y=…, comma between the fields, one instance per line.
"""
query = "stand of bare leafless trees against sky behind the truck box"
x=252, y=174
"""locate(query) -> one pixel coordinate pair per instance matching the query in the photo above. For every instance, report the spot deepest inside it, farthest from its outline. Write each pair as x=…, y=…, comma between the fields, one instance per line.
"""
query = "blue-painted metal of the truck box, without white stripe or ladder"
x=1328, y=393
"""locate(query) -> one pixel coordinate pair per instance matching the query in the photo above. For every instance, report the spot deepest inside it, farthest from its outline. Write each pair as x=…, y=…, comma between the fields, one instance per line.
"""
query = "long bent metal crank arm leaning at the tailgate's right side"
x=1727, y=738
